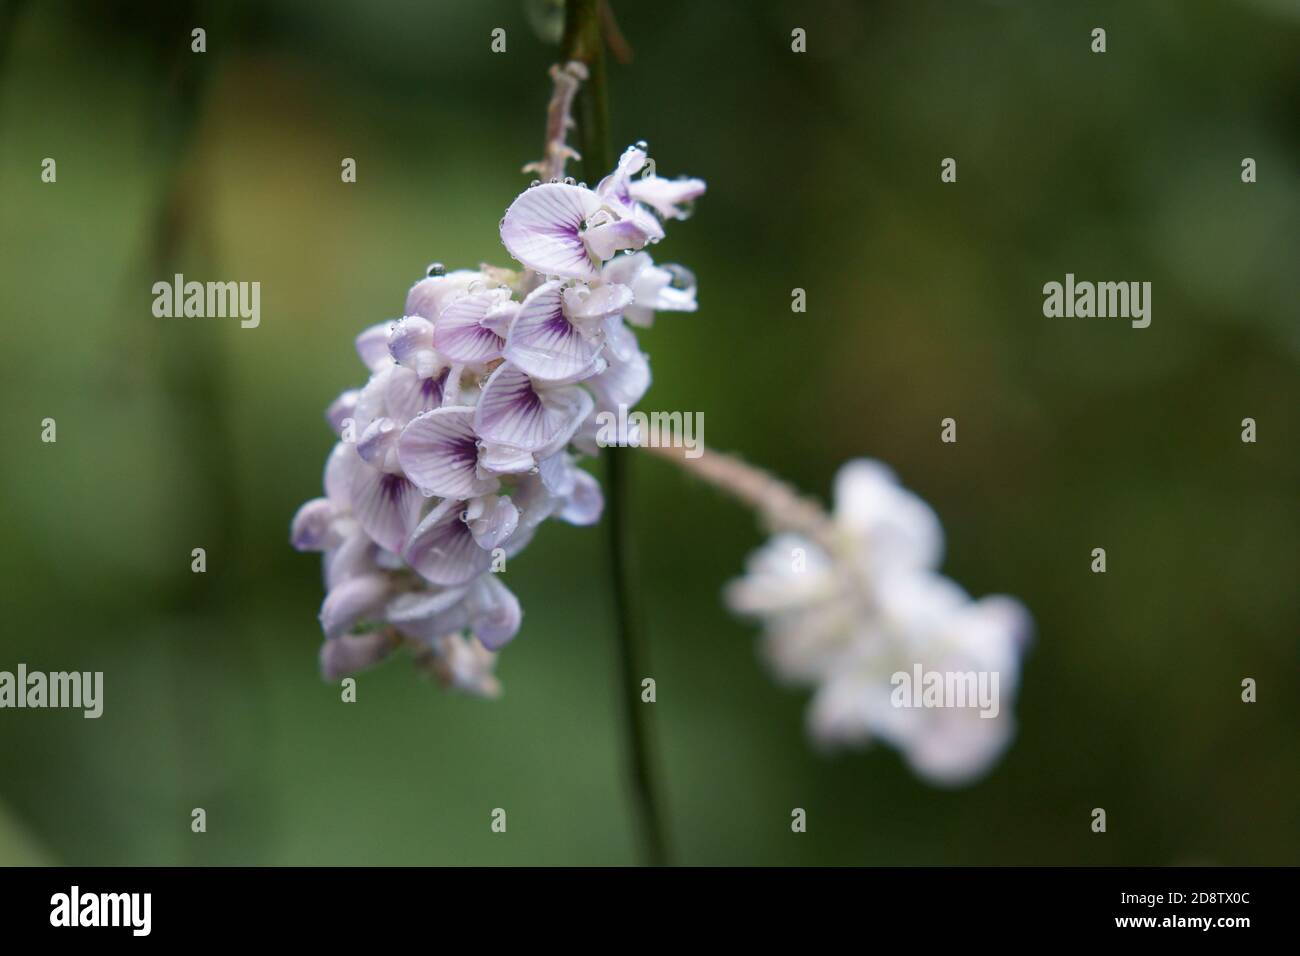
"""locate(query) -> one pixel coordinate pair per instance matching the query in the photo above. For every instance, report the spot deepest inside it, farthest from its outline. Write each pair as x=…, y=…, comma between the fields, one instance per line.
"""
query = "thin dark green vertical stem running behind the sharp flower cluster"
x=583, y=41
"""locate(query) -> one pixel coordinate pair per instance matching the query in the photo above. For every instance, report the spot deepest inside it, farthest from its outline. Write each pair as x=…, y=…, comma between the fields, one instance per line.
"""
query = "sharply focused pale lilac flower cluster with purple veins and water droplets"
x=482, y=400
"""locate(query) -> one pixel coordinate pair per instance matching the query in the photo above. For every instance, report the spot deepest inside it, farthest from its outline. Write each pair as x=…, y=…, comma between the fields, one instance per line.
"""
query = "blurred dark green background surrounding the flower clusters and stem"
x=925, y=301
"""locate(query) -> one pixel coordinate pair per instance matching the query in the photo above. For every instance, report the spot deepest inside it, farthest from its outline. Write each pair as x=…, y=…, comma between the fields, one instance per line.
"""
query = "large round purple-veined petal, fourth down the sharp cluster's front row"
x=440, y=453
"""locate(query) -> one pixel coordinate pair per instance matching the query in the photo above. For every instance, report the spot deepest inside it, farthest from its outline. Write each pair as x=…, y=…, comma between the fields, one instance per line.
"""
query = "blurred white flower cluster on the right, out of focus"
x=852, y=603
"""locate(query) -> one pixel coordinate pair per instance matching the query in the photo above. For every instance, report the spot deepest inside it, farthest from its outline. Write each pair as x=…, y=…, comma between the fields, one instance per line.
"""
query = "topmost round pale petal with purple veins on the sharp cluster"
x=543, y=230
